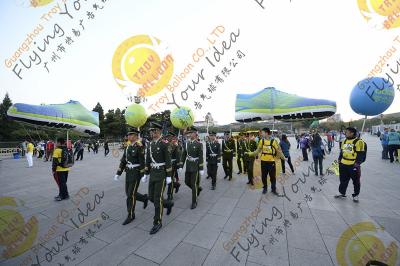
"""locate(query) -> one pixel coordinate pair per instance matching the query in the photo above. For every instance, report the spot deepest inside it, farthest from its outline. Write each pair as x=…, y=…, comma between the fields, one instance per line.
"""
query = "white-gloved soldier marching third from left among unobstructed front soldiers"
x=192, y=154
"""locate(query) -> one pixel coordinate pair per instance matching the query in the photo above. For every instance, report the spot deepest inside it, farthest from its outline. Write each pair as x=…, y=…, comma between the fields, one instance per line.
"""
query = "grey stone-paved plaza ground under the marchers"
x=233, y=225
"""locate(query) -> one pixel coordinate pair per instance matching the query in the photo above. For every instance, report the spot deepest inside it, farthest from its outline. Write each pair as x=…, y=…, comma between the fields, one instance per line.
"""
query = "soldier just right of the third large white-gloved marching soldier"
x=213, y=156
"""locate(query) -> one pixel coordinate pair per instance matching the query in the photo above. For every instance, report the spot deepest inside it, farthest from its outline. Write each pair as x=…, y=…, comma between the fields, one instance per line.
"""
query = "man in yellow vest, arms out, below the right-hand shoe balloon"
x=270, y=150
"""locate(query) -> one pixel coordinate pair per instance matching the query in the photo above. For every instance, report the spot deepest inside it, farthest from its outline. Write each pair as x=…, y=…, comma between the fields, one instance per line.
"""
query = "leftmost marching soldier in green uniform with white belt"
x=132, y=162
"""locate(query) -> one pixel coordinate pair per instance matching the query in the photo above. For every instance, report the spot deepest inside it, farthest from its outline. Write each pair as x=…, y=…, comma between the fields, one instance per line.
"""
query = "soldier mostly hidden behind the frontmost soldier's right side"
x=175, y=155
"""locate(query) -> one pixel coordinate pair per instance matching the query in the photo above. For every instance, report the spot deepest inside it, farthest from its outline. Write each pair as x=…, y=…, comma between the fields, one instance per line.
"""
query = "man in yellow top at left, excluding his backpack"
x=59, y=172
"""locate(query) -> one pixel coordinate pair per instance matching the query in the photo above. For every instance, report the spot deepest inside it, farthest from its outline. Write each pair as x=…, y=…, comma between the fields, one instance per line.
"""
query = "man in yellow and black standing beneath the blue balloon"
x=353, y=153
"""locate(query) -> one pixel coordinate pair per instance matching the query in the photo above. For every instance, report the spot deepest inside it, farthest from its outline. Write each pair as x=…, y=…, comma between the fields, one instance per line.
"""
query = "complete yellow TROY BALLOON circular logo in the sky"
x=142, y=66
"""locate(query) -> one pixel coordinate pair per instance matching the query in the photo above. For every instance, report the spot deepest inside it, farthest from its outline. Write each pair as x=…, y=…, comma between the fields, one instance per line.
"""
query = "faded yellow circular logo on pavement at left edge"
x=16, y=236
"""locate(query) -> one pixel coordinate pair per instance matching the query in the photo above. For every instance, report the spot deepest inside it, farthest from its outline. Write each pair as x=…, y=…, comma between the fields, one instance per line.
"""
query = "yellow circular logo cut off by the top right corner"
x=381, y=14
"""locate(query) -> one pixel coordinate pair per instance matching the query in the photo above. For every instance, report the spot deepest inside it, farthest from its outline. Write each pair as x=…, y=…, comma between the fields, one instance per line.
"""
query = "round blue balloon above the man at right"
x=372, y=96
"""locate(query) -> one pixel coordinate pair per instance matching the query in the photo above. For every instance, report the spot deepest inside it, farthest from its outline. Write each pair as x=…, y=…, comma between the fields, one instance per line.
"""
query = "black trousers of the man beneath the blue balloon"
x=347, y=172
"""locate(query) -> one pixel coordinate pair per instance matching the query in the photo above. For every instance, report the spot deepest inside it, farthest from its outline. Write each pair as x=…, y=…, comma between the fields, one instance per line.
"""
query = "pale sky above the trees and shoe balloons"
x=313, y=48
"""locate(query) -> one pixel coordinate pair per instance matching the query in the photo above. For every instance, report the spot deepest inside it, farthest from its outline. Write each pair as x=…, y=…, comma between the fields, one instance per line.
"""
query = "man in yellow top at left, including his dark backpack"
x=63, y=159
